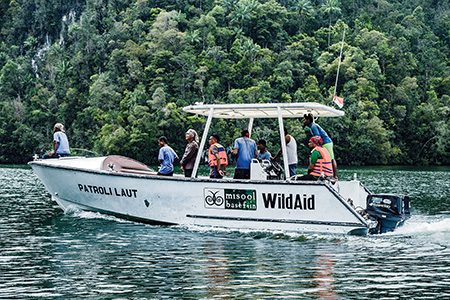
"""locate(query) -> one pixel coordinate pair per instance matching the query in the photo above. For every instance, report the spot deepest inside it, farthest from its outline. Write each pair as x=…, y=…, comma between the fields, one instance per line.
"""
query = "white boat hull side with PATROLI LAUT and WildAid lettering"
x=254, y=205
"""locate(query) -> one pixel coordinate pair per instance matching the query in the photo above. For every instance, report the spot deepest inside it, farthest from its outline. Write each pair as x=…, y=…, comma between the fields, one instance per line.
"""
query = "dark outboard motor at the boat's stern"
x=388, y=211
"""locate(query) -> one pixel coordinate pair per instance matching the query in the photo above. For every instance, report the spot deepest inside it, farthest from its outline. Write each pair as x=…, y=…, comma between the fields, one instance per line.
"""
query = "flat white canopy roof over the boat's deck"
x=264, y=110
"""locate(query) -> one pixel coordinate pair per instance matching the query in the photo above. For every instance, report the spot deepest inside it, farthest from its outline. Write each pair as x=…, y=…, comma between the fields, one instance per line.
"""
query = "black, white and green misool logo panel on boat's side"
x=230, y=199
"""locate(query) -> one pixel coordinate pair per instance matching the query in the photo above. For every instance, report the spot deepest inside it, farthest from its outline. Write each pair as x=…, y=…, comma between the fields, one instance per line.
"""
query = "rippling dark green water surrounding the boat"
x=48, y=254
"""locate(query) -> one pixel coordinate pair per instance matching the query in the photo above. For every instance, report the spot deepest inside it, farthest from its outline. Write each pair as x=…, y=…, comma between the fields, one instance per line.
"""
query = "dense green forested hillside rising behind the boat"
x=117, y=73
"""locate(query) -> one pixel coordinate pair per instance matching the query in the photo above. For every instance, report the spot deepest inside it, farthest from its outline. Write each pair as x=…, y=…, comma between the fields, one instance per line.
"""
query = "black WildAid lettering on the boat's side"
x=289, y=201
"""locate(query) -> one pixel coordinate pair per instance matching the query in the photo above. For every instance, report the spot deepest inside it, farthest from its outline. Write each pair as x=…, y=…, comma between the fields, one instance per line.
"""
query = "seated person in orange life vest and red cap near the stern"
x=320, y=161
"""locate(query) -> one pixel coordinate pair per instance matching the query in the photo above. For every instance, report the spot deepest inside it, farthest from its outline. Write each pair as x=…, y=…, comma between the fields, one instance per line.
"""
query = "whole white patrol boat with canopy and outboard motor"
x=125, y=188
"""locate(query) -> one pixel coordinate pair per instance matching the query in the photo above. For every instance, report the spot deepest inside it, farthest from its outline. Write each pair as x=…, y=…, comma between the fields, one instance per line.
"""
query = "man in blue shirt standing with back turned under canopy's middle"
x=245, y=151
